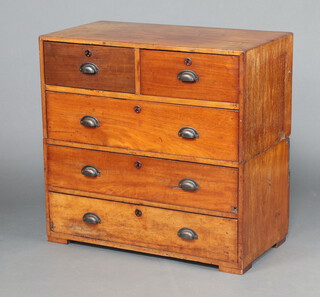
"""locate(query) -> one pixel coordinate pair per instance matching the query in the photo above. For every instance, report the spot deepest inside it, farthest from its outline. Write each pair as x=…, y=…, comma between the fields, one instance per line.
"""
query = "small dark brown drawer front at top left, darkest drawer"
x=113, y=67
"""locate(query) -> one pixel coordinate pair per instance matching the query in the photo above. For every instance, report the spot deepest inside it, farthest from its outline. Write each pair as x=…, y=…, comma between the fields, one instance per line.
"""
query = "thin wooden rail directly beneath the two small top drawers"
x=182, y=101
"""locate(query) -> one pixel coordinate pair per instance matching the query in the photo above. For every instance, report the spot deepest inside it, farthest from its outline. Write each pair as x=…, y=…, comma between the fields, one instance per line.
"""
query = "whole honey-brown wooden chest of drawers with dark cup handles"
x=168, y=140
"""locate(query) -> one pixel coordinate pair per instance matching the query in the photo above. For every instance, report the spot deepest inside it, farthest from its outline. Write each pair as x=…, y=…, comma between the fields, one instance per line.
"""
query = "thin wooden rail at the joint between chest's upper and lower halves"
x=143, y=153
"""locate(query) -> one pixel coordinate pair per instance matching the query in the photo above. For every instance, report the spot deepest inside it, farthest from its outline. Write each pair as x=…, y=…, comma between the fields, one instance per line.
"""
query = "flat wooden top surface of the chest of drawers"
x=166, y=37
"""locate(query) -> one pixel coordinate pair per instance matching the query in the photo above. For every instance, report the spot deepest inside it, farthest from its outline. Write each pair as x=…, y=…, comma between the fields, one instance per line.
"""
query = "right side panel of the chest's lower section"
x=265, y=201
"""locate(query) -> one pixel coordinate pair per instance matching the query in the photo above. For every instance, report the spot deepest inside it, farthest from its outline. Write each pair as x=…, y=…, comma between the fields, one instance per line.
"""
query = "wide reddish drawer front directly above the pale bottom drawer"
x=149, y=179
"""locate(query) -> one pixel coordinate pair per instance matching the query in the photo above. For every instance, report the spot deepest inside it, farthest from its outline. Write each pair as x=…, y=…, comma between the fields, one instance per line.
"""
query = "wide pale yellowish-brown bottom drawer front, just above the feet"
x=144, y=226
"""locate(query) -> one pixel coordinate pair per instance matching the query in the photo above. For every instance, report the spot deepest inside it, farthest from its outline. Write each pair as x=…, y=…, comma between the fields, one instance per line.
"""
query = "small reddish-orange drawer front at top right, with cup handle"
x=217, y=76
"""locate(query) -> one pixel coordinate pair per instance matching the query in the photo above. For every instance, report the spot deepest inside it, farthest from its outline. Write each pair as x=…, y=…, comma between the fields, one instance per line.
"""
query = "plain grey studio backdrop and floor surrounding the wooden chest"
x=30, y=266
